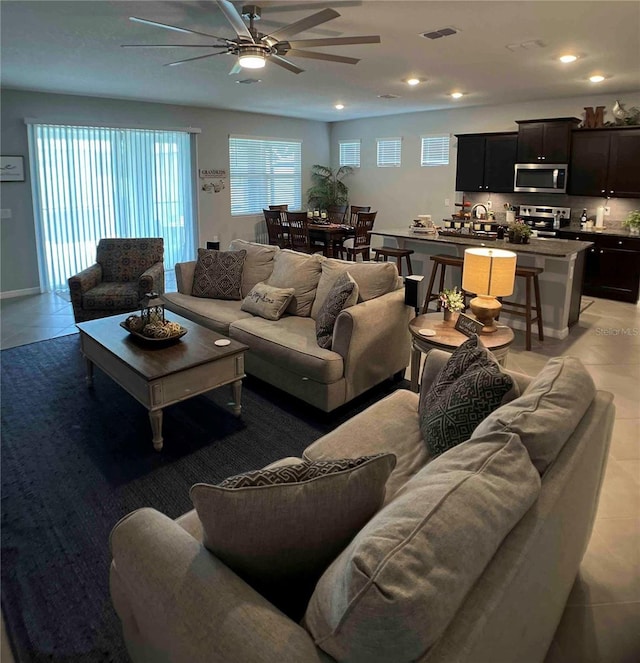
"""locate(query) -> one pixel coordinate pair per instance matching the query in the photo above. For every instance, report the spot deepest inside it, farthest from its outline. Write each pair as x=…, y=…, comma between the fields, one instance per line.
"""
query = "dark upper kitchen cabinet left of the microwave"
x=486, y=162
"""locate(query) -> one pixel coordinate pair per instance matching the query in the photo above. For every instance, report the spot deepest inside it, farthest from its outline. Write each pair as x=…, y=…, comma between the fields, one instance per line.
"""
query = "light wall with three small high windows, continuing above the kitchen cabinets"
x=399, y=194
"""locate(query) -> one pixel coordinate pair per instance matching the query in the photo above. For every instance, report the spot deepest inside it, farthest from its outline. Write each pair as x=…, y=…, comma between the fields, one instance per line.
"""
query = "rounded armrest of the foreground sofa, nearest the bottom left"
x=176, y=597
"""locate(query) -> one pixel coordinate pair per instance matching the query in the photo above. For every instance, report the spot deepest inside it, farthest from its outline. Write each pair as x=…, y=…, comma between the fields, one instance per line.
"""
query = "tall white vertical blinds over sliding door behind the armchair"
x=95, y=182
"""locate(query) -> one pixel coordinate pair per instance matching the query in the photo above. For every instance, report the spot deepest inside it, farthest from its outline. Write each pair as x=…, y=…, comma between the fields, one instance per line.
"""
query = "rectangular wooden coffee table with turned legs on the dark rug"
x=161, y=375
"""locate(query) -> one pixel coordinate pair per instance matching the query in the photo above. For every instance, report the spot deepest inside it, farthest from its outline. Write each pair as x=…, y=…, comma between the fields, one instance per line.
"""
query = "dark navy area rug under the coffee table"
x=75, y=460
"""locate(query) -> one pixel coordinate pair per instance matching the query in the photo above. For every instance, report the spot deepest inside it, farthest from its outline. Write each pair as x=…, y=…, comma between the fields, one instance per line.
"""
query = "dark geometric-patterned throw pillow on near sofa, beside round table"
x=468, y=388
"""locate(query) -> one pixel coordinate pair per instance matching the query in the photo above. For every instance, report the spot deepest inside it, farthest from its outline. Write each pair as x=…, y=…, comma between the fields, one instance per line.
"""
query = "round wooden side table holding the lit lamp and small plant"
x=448, y=338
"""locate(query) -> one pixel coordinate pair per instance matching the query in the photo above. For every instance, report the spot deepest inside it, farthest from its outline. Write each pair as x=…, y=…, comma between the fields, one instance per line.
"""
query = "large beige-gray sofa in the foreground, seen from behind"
x=482, y=578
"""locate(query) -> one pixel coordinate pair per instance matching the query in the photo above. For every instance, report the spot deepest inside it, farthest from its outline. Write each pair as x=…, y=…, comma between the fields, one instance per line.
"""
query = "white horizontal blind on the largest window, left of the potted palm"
x=263, y=172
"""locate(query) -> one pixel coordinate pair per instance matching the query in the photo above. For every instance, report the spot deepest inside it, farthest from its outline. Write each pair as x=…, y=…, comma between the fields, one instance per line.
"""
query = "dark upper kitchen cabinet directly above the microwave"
x=545, y=140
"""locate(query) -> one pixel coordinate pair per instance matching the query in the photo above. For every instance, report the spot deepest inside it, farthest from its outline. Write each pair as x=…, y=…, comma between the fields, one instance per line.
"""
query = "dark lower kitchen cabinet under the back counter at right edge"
x=612, y=266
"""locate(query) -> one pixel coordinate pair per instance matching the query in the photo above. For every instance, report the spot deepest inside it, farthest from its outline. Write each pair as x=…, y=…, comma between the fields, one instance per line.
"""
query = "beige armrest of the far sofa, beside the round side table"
x=373, y=339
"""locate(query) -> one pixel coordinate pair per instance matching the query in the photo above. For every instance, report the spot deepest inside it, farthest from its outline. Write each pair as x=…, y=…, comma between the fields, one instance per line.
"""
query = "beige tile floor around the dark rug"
x=601, y=623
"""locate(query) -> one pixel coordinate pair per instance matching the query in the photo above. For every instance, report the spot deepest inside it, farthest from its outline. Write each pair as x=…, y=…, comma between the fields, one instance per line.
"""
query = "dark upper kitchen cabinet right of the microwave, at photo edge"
x=604, y=162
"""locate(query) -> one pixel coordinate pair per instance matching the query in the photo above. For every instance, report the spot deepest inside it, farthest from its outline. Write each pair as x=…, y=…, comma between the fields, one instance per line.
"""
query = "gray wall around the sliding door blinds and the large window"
x=18, y=257
